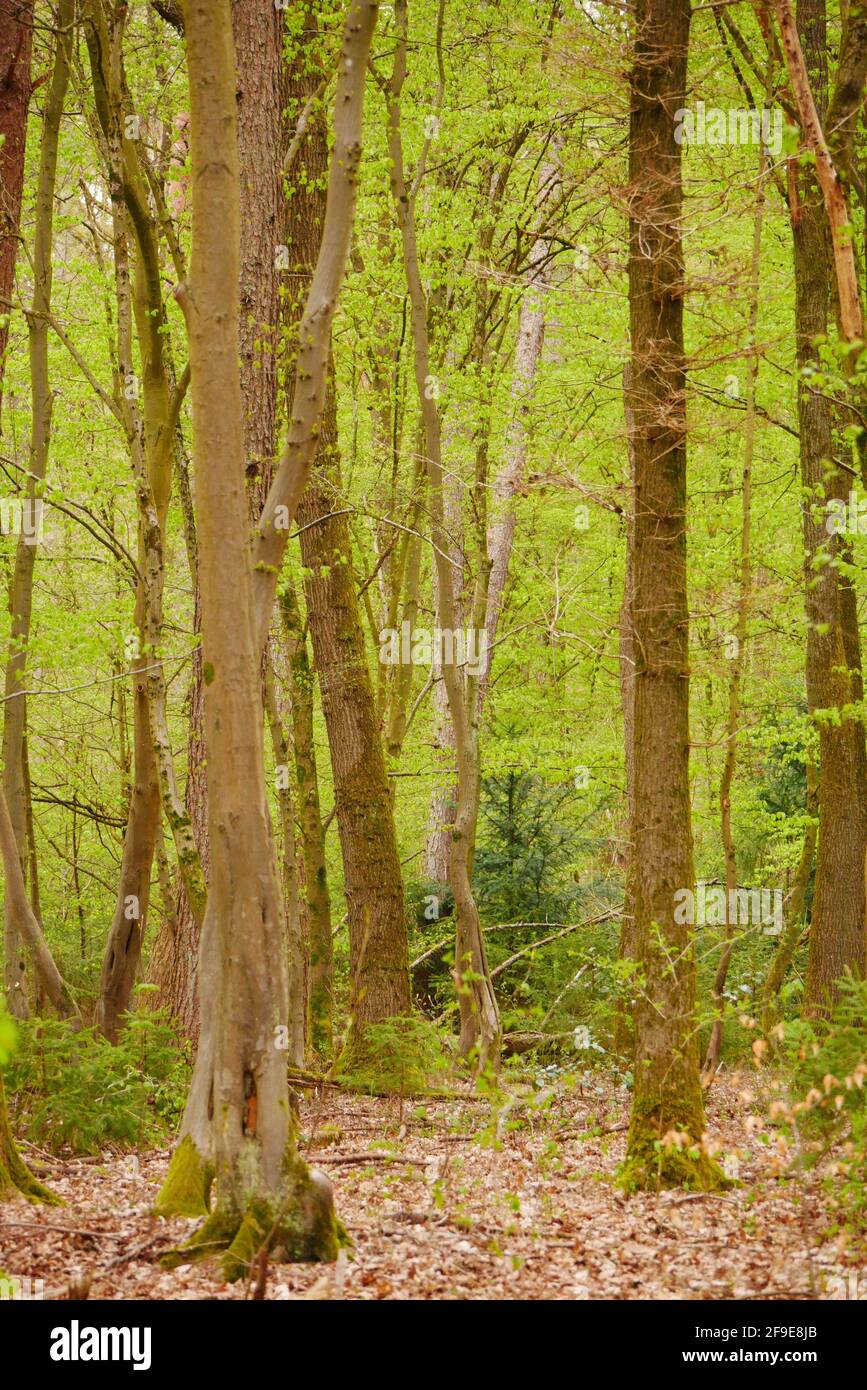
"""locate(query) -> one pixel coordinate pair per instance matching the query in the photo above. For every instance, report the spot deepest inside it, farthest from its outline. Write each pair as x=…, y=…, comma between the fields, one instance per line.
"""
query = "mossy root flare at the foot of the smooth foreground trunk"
x=298, y=1228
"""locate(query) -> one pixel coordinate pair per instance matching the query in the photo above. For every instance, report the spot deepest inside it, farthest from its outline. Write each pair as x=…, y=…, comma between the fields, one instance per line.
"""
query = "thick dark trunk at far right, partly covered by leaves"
x=839, y=940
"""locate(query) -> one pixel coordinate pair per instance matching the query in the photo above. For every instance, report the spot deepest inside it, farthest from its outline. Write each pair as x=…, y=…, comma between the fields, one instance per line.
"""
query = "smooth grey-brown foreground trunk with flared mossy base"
x=238, y=1124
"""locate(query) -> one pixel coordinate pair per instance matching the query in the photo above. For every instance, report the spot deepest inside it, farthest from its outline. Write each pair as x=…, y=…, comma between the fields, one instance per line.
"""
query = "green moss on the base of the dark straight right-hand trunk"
x=663, y=1152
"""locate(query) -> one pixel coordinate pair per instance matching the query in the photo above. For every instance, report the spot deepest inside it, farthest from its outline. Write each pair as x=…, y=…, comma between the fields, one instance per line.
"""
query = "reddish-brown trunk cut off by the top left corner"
x=16, y=54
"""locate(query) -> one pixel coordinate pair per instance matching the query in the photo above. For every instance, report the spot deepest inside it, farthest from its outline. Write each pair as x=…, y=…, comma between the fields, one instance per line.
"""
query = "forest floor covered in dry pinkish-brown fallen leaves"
x=462, y=1200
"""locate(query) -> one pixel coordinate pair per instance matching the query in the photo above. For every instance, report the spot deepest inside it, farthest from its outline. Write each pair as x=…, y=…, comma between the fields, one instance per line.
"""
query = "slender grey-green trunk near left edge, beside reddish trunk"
x=16, y=783
